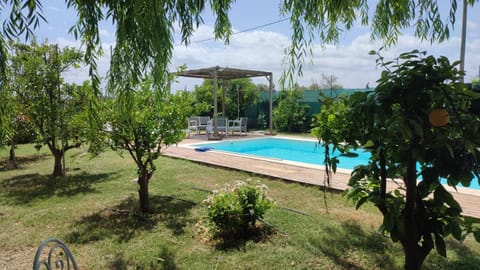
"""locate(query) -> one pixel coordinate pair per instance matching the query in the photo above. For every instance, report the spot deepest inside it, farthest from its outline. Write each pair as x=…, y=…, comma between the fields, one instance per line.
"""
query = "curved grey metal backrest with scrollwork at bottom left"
x=54, y=254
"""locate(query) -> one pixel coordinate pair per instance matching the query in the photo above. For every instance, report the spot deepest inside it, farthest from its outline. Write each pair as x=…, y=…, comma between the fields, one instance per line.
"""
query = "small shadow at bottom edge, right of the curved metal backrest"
x=164, y=260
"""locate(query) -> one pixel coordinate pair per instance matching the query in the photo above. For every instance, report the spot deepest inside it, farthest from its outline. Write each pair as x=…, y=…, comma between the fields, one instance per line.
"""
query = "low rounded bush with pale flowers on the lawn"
x=234, y=210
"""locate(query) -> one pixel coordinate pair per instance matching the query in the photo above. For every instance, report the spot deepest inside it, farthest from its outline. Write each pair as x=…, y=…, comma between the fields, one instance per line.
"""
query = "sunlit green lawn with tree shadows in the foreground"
x=94, y=210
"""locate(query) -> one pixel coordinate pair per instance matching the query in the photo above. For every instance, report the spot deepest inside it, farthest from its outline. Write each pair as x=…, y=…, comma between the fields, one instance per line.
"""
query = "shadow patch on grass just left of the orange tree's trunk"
x=339, y=243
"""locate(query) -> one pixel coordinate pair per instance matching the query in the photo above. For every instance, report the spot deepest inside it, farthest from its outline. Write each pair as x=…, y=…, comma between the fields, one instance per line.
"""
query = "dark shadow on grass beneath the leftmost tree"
x=22, y=189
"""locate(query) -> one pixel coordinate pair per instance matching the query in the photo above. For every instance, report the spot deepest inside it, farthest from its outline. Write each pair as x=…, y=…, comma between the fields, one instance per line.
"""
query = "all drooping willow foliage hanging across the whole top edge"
x=138, y=47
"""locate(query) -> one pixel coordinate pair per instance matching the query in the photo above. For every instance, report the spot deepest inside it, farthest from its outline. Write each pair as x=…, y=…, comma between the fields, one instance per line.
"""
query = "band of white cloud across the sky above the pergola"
x=351, y=63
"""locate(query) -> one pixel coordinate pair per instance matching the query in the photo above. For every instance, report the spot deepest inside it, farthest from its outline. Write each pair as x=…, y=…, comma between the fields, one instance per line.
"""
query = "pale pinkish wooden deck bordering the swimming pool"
x=469, y=199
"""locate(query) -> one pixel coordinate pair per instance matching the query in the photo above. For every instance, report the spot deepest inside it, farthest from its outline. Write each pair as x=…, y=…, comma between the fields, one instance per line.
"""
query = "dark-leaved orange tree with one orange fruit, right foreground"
x=414, y=124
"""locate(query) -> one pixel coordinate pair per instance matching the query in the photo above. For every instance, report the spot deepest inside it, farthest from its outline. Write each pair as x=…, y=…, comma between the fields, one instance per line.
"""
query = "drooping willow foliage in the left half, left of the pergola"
x=144, y=36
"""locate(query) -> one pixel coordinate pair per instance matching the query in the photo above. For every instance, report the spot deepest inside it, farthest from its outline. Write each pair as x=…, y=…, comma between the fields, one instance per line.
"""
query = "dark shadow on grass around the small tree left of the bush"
x=122, y=222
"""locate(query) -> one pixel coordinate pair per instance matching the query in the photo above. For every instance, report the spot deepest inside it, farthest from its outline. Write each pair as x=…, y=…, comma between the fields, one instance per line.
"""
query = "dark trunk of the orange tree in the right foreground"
x=413, y=252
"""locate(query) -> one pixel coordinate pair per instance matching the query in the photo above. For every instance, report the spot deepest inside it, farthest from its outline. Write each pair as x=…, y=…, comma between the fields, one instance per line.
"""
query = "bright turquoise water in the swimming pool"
x=291, y=150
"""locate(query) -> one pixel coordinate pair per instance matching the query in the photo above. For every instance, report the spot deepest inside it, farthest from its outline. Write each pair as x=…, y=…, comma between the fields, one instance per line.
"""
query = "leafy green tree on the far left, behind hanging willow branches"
x=56, y=109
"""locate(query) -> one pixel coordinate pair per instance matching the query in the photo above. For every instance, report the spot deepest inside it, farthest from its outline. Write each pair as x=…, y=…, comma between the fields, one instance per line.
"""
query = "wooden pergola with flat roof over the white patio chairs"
x=224, y=73
